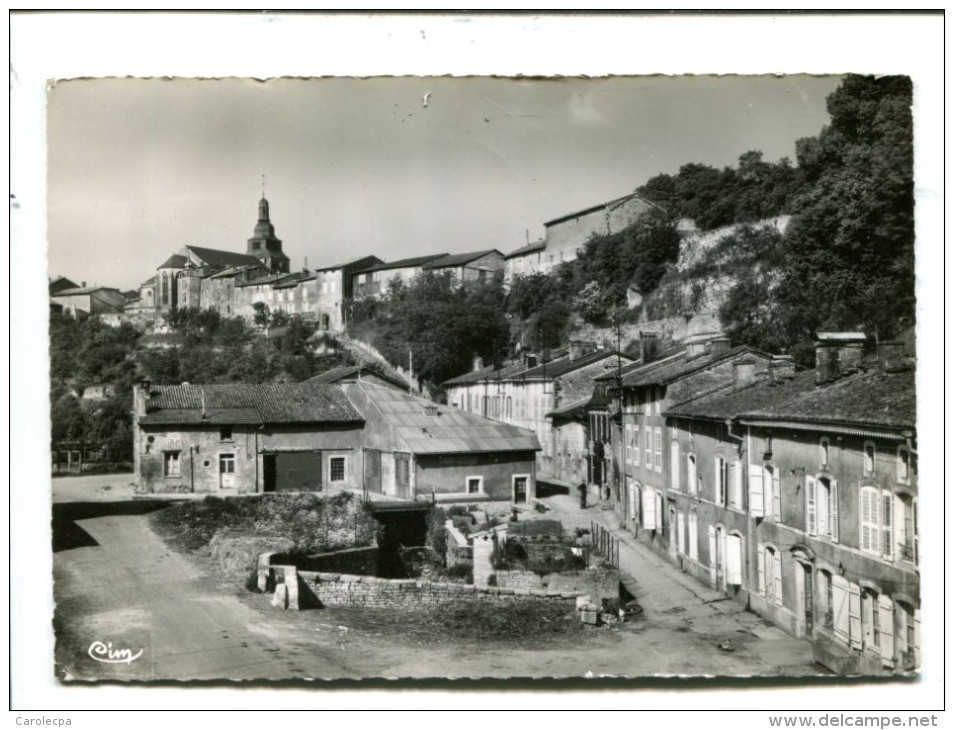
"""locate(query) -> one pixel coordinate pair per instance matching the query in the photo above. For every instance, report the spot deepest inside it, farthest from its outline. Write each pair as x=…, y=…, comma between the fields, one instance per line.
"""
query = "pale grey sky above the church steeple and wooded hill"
x=139, y=168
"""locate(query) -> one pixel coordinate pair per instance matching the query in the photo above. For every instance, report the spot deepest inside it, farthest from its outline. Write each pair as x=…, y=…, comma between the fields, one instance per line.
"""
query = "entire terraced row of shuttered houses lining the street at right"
x=793, y=493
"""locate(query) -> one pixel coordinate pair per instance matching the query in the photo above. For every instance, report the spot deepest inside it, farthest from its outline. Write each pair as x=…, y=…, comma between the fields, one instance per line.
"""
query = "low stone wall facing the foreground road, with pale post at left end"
x=318, y=589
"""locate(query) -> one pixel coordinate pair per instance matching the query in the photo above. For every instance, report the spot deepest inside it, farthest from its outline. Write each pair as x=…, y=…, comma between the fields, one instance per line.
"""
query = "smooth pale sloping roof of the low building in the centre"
x=423, y=427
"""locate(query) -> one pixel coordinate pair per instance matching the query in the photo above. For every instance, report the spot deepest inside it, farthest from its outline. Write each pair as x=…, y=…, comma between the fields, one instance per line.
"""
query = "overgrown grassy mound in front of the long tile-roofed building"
x=312, y=522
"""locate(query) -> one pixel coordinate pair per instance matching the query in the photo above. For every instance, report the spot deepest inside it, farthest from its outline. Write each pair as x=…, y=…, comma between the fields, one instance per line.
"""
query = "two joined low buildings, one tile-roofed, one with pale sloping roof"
x=361, y=433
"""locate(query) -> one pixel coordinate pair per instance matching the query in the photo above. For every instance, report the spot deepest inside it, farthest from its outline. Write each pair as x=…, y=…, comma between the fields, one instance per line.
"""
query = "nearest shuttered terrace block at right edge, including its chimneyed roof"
x=797, y=496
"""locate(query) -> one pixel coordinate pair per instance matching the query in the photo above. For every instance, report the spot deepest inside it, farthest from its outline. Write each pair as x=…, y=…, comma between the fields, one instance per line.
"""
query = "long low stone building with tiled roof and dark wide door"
x=236, y=439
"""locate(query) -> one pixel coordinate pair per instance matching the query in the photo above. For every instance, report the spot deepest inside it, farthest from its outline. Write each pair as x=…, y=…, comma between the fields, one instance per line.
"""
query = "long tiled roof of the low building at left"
x=266, y=403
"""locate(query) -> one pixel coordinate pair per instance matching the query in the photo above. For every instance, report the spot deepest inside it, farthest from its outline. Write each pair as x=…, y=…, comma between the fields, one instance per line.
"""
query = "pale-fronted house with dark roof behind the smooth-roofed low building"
x=525, y=391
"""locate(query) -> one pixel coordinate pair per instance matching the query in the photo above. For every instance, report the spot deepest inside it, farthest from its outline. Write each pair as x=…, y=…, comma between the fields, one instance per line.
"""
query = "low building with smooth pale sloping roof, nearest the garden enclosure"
x=417, y=449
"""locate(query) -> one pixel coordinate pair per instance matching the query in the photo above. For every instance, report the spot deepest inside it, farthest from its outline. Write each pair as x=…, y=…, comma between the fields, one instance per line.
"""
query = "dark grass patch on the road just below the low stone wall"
x=521, y=619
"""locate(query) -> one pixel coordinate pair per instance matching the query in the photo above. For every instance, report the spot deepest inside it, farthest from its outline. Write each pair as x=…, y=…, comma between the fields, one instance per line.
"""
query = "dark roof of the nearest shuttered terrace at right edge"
x=873, y=398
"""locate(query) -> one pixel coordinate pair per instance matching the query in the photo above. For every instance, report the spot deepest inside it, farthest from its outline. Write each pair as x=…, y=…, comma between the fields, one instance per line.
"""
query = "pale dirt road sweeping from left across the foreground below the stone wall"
x=122, y=586
